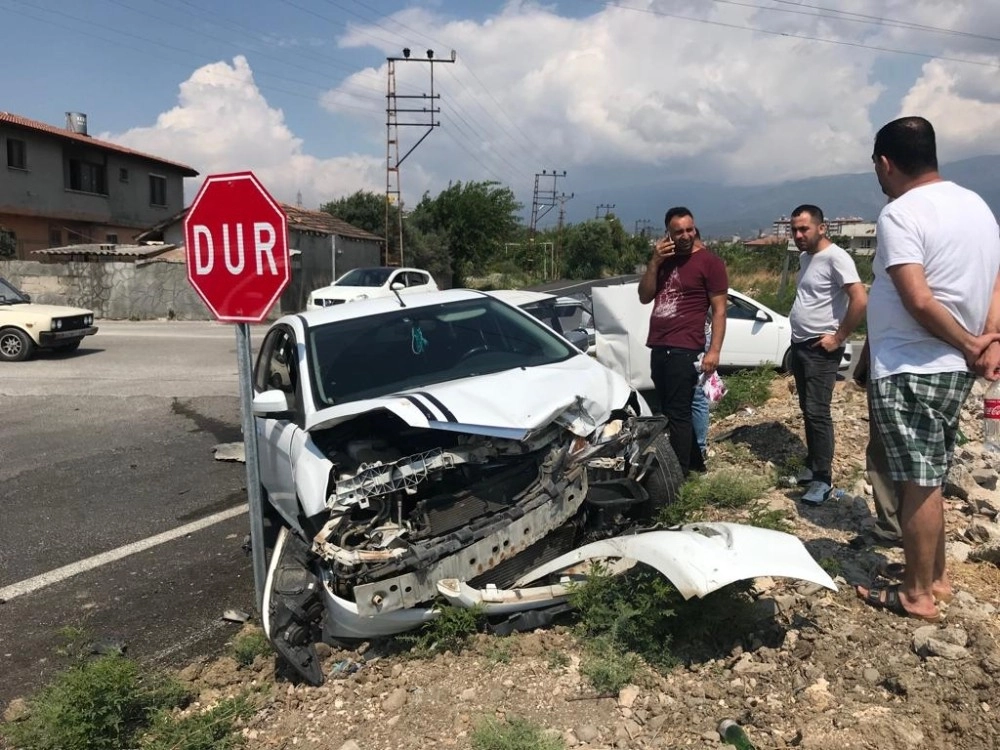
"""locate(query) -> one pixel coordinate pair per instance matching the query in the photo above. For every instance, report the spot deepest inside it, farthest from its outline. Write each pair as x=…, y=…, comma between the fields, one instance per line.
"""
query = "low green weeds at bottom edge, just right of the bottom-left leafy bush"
x=208, y=730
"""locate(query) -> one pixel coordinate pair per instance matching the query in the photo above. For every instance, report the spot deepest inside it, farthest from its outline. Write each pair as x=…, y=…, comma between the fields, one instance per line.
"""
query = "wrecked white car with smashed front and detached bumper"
x=450, y=445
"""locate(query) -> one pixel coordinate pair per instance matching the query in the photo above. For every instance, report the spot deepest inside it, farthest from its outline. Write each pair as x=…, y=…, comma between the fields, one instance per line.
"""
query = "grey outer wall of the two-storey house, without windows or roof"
x=40, y=191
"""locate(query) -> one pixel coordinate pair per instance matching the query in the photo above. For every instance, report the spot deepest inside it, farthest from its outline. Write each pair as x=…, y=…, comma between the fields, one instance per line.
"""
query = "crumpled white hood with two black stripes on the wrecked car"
x=506, y=404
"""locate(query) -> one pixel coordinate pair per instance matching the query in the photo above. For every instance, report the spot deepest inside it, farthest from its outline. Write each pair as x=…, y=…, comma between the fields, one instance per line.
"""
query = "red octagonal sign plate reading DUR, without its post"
x=236, y=245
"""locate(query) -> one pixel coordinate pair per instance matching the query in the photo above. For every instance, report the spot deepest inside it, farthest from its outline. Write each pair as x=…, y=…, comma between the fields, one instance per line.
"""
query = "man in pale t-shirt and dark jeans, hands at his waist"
x=829, y=304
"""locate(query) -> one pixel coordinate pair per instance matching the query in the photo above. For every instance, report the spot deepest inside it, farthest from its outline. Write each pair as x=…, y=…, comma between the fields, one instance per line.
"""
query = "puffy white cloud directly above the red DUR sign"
x=222, y=123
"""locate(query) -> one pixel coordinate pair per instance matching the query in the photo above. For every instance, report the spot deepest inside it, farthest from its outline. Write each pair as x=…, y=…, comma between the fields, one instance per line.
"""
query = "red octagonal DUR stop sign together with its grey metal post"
x=236, y=247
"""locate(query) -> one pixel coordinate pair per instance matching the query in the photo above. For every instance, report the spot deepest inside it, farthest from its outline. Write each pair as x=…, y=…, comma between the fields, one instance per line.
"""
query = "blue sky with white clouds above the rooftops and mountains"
x=728, y=91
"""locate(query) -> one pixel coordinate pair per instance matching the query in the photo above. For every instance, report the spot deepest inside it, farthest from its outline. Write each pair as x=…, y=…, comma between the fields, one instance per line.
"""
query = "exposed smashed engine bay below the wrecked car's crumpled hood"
x=402, y=508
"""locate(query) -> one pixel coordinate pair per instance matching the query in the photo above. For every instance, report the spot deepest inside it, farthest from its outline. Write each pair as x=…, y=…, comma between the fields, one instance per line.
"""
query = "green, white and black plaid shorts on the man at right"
x=917, y=418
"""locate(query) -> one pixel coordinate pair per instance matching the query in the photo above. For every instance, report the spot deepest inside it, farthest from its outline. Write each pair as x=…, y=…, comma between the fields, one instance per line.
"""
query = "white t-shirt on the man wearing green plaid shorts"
x=952, y=233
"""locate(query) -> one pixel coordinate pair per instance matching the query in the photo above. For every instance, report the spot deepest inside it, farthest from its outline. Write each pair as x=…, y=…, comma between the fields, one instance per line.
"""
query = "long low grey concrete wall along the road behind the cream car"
x=112, y=290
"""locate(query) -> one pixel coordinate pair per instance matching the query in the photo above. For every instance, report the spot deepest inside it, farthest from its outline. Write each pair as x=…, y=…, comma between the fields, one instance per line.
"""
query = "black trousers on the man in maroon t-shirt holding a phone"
x=675, y=379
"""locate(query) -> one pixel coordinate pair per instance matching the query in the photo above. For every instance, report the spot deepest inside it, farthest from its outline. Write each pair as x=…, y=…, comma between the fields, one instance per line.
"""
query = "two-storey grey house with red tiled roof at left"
x=59, y=186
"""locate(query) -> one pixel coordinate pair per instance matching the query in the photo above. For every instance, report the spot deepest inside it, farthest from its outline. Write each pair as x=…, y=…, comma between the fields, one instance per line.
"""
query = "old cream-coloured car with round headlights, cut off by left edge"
x=26, y=326
